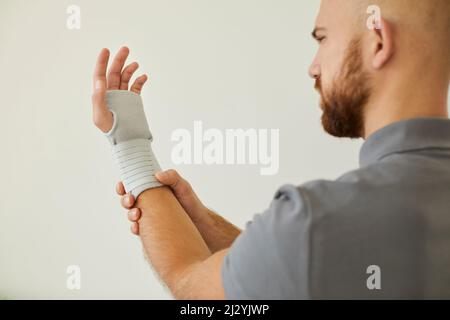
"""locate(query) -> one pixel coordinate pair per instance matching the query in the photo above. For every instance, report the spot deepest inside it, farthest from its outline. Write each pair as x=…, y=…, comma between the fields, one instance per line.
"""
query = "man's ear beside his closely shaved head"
x=382, y=44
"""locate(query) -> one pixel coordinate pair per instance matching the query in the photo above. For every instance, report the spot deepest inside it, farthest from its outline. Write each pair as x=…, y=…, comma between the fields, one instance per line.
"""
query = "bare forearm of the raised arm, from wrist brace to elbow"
x=170, y=239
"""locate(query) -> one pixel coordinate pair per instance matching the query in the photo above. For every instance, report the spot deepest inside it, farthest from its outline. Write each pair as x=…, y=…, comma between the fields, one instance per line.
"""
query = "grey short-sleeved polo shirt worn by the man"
x=381, y=231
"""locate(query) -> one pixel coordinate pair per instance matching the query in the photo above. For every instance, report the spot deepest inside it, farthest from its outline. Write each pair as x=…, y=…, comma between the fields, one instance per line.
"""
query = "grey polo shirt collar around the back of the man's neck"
x=405, y=135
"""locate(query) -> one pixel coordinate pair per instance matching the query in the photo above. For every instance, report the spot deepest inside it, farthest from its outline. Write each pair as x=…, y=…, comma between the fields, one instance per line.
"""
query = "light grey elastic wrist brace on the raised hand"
x=131, y=139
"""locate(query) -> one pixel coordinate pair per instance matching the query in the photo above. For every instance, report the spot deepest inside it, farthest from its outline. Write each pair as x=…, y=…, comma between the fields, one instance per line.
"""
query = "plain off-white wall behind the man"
x=231, y=64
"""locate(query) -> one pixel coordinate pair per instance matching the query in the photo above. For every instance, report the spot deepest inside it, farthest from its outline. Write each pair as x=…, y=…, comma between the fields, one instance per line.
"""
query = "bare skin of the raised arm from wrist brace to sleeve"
x=176, y=249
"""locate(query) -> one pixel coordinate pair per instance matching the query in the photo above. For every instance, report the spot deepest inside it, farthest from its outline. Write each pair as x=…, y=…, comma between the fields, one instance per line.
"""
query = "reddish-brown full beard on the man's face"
x=343, y=105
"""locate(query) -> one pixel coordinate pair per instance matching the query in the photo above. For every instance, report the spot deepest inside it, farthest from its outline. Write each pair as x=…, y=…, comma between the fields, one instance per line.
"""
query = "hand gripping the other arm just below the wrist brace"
x=182, y=191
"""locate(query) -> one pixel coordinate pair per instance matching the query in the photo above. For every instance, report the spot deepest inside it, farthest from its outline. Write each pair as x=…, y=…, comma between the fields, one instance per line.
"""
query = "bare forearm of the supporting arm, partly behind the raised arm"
x=217, y=232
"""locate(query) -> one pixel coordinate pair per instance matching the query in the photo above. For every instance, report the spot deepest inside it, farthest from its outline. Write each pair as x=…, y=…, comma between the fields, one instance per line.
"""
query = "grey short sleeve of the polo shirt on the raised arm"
x=270, y=259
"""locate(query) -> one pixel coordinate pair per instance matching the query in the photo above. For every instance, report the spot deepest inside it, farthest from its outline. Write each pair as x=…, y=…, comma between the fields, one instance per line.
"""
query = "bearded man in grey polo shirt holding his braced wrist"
x=381, y=231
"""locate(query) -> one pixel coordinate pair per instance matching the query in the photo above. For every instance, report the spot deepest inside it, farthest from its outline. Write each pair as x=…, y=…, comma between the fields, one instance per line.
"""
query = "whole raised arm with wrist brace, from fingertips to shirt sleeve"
x=172, y=242
